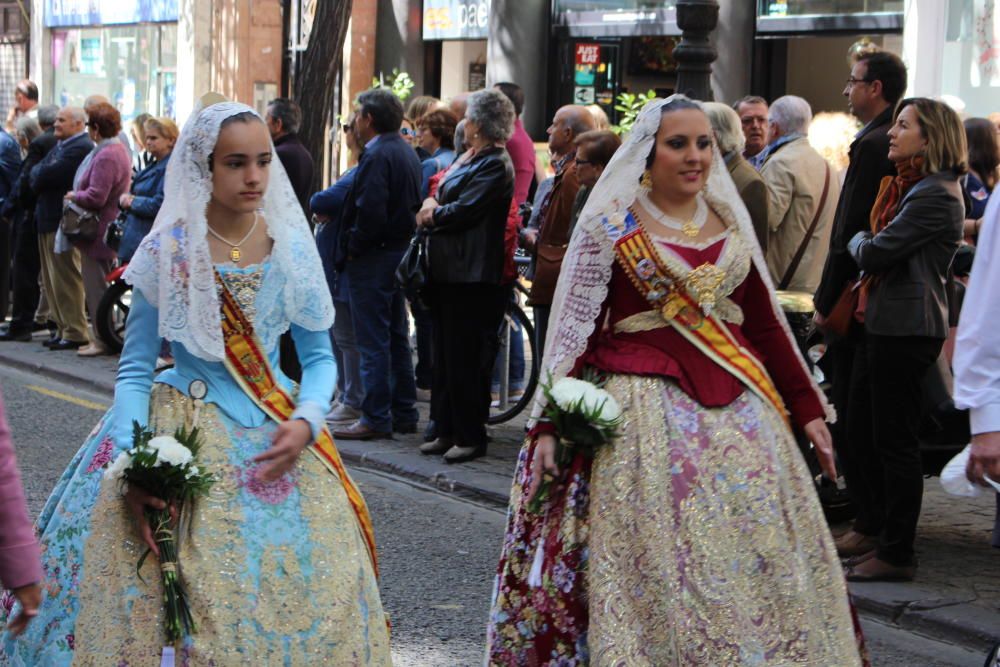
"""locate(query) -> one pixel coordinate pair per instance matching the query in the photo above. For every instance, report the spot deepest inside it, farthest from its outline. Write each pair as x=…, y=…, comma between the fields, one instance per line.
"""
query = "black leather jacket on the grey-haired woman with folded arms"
x=466, y=243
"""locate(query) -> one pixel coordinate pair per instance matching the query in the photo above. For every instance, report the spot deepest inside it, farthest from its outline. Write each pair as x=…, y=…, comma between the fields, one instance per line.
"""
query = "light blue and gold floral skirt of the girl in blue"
x=277, y=574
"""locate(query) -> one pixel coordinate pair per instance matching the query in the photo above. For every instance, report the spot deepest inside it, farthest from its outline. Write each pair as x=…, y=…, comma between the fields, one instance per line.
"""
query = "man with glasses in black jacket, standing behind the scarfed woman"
x=876, y=83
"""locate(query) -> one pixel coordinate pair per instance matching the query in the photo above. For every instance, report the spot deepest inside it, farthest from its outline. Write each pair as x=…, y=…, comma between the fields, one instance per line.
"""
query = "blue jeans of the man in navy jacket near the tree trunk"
x=378, y=308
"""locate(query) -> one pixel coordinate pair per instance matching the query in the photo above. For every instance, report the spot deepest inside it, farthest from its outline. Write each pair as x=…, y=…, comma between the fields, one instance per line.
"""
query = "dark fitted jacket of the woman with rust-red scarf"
x=910, y=260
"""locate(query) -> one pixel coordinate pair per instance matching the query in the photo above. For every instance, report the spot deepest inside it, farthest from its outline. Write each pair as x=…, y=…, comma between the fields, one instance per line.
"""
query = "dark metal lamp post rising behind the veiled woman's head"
x=695, y=53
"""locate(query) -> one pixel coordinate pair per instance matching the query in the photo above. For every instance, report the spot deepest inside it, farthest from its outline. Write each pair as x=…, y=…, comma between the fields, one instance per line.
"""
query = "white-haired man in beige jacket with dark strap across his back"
x=802, y=198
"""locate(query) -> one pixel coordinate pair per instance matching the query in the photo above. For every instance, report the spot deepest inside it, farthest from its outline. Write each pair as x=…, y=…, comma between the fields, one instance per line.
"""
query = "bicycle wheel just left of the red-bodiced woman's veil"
x=517, y=333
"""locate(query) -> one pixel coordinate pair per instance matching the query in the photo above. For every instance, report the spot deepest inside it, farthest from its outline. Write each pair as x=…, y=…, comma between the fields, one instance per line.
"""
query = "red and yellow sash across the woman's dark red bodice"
x=667, y=294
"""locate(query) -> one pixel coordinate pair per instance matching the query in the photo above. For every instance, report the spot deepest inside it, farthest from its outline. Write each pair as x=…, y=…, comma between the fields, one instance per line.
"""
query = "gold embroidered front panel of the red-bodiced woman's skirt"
x=708, y=545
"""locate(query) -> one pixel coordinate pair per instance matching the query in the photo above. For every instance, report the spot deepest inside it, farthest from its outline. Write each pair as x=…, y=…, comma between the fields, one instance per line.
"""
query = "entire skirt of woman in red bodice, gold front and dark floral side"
x=695, y=538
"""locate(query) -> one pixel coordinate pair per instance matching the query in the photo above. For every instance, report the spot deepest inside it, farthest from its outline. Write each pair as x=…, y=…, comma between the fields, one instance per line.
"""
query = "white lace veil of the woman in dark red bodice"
x=586, y=269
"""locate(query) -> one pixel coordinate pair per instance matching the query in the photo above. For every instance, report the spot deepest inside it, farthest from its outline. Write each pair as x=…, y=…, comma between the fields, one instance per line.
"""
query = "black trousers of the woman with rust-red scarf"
x=885, y=411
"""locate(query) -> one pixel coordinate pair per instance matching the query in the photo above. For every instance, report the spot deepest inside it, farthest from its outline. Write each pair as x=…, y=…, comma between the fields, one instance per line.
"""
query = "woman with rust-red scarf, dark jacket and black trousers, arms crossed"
x=916, y=227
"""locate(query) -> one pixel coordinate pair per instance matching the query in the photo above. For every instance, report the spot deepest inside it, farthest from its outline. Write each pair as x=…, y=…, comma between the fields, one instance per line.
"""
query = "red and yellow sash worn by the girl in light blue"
x=249, y=366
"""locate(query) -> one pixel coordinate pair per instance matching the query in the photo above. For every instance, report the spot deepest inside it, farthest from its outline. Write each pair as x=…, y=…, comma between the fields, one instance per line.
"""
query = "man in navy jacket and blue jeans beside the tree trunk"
x=378, y=222
